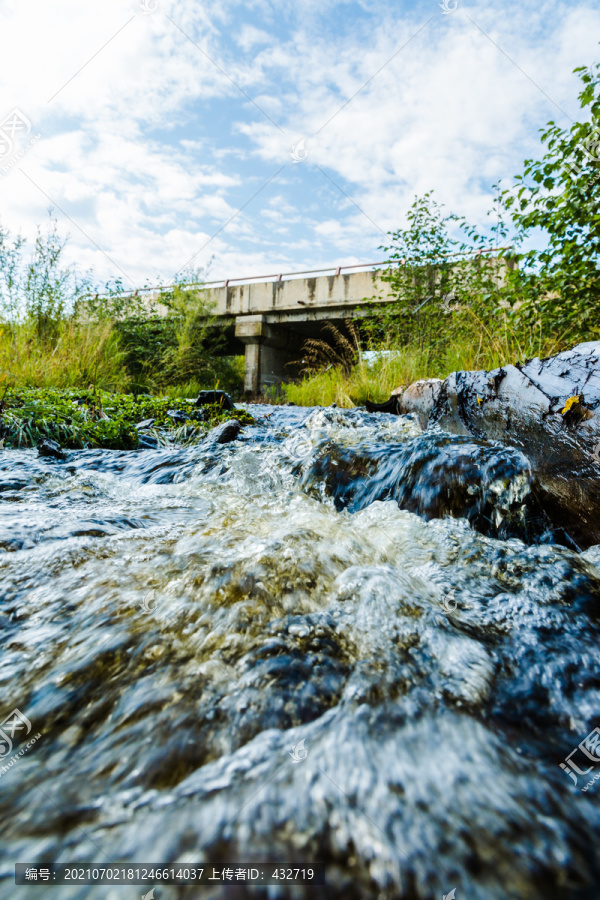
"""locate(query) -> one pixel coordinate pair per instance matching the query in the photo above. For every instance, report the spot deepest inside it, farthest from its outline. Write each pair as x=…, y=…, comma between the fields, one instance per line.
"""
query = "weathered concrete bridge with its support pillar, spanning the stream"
x=269, y=317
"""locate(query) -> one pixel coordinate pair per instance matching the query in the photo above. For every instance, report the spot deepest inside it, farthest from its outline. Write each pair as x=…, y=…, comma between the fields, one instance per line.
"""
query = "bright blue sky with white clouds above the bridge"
x=166, y=129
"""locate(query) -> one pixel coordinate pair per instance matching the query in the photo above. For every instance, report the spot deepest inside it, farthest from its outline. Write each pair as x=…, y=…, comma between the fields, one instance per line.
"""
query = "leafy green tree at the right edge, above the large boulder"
x=557, y=288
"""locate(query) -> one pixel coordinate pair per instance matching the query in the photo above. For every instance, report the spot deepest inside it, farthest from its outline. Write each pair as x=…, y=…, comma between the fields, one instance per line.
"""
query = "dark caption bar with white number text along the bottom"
x=171, y=873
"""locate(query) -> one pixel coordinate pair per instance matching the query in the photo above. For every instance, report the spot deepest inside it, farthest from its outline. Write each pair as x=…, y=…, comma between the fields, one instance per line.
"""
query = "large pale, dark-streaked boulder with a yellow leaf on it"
x=548, y=408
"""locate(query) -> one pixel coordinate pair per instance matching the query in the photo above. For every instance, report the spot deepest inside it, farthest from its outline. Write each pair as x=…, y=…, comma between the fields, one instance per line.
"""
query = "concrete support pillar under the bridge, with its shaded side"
x=270, y=353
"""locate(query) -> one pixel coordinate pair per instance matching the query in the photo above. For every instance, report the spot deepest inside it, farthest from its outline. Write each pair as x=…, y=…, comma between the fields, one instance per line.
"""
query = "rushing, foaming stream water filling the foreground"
x=392, y=605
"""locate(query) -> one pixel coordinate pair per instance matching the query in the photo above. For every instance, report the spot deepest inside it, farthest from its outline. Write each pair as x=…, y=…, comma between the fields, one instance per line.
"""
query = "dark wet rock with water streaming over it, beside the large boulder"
x=436, y=476
